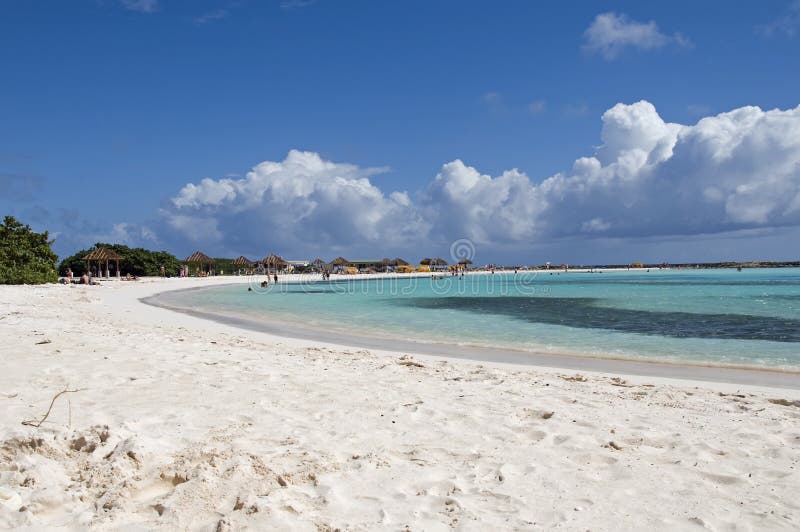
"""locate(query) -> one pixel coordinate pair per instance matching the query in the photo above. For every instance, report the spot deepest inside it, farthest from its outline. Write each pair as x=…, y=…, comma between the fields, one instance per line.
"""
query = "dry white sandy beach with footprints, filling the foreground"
x=190, y=424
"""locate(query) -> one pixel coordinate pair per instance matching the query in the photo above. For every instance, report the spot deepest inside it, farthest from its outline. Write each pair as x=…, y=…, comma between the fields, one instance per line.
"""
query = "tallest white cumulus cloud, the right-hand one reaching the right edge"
x=732, y=171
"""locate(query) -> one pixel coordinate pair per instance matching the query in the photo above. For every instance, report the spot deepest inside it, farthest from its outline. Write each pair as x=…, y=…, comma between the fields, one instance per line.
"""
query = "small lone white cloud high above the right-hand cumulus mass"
x=610, y=33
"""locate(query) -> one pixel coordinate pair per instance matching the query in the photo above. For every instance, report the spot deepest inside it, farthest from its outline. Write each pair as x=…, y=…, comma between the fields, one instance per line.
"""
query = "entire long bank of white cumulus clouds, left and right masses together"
x=735, y=171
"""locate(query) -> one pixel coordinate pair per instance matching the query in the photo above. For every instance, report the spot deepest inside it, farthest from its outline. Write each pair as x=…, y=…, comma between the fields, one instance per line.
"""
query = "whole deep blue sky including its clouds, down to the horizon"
x=109, y=109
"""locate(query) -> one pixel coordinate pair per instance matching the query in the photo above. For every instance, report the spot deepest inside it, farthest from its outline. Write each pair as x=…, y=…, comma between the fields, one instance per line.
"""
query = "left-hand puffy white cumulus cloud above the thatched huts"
x=302, y=199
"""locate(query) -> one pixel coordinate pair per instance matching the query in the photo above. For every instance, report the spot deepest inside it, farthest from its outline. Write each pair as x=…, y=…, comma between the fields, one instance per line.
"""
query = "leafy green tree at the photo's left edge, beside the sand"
x=25, y=255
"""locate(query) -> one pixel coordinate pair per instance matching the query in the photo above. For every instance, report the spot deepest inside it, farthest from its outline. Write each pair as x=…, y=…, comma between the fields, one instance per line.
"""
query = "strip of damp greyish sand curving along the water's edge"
x=679, y=370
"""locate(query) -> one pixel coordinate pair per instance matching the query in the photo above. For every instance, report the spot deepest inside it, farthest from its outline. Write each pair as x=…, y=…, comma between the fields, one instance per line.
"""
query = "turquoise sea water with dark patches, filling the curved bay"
x=721, y=317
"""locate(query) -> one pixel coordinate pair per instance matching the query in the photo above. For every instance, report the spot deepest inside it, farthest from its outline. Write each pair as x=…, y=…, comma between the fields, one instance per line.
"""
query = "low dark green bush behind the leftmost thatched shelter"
x=135, y=261
